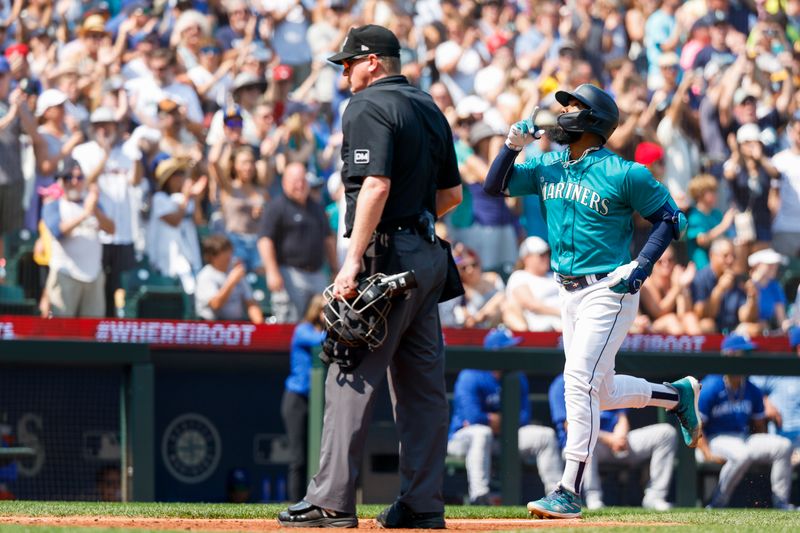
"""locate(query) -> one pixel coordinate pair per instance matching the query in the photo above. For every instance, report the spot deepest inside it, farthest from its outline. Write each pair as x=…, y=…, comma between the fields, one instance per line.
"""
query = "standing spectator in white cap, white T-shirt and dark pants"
x=116, y=176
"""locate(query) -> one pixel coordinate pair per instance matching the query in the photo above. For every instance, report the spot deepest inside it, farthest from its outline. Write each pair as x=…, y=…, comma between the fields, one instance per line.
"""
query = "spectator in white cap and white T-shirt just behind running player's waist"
x=532, y=302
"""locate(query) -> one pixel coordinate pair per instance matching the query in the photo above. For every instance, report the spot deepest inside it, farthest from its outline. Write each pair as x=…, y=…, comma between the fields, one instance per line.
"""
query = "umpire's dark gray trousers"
x=414, y=356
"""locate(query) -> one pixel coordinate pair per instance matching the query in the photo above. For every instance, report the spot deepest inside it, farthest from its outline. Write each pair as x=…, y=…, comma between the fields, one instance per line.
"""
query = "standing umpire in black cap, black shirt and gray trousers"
x=399, y=173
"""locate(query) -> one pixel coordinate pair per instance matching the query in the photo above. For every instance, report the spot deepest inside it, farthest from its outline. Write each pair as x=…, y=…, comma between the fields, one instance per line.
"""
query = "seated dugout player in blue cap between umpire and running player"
x=476, y=422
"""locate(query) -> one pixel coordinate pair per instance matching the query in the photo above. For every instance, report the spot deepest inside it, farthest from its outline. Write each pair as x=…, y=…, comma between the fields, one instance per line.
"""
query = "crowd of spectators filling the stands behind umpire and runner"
x=206, y=117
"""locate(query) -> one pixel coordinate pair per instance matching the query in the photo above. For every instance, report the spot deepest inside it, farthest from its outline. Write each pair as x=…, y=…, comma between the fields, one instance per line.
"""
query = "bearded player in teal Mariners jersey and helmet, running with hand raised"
x=588, y=195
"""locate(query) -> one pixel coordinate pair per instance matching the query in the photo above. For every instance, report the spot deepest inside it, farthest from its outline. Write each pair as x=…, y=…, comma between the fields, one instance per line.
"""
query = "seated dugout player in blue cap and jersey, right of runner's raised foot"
x=729, y=406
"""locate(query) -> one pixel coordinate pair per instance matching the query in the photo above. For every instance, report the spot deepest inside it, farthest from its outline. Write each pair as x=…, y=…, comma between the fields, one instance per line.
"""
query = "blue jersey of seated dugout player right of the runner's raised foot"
x=729, y=411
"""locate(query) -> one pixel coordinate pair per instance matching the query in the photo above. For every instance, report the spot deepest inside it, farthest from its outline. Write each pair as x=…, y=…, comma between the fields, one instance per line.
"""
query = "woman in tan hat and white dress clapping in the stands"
x=172, y=242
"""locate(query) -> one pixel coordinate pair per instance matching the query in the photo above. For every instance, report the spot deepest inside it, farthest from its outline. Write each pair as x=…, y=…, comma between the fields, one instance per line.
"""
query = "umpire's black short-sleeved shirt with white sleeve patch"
x=395, y=130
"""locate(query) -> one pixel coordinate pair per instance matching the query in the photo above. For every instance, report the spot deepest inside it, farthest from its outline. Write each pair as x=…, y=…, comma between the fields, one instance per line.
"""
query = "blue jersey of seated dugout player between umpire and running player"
x=477, y=393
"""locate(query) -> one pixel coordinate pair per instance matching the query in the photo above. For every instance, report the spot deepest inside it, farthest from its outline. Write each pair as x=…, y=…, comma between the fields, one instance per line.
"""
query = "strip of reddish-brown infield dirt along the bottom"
x=193, y=524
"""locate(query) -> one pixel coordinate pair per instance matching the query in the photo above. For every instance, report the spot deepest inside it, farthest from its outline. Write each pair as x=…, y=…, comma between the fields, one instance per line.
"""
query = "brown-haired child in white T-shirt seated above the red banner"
x=222, y=292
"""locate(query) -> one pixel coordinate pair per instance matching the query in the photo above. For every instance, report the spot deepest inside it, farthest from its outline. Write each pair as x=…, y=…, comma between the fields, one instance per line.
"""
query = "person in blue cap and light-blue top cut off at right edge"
x=782, y=397
